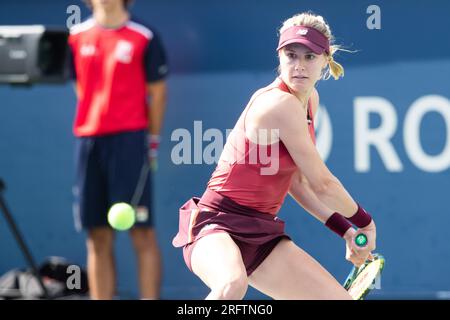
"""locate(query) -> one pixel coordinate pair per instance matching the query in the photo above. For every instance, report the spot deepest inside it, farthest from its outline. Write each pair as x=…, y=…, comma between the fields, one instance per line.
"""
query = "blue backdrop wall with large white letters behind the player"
x=221, y=52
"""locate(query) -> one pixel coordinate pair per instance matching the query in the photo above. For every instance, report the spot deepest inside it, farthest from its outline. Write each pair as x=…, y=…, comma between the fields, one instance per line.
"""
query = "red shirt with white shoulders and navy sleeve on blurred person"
x=112, y=68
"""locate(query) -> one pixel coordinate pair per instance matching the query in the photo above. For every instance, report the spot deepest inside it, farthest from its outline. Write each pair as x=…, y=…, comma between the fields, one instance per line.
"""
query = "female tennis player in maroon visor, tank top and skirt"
x=232, y=236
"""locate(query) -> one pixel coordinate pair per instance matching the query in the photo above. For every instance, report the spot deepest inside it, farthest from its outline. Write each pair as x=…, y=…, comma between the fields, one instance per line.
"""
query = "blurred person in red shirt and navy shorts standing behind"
x=120, y=69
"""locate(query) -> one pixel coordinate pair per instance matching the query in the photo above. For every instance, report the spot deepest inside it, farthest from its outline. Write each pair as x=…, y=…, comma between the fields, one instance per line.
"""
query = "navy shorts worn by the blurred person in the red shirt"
x=107, y=171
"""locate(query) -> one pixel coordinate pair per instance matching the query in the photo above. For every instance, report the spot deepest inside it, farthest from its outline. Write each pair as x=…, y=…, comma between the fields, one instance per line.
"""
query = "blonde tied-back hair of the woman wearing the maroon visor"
x=309, y=19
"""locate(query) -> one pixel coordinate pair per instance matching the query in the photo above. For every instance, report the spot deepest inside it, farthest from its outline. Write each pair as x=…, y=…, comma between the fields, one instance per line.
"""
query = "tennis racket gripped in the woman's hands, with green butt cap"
x=362, y=279
